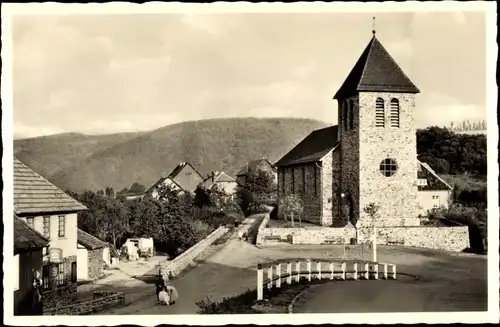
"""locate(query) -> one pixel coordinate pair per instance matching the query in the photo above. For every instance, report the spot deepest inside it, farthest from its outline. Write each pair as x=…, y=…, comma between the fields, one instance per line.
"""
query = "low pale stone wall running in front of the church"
x=455, y=239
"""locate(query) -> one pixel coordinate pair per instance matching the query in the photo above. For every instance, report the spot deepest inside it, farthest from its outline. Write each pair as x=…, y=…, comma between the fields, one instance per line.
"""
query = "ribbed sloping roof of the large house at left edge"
x=33, y=194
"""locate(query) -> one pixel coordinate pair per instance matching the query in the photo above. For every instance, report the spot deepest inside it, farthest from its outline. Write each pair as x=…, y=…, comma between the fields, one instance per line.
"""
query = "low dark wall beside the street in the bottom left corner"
x=99, y=302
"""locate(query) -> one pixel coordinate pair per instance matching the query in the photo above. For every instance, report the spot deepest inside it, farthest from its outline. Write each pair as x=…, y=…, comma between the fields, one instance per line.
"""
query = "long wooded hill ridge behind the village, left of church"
x=79, y=162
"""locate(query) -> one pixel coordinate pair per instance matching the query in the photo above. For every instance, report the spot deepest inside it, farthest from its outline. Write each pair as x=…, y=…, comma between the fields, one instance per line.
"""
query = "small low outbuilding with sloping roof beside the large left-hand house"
x=92, y=255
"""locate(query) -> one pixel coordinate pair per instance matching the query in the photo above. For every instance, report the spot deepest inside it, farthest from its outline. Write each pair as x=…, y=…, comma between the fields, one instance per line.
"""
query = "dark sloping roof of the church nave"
x=314, y=147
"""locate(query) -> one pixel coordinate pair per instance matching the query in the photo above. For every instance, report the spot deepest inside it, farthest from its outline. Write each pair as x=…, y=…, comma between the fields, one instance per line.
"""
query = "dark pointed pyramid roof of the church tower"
x=376, y=71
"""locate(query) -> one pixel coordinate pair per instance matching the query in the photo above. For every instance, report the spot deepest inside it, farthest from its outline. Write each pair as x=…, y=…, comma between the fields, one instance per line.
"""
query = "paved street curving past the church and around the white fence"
x=231, y=269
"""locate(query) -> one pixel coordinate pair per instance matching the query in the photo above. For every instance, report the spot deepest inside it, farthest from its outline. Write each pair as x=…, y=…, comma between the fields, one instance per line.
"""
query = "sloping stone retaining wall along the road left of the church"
x=176, y=266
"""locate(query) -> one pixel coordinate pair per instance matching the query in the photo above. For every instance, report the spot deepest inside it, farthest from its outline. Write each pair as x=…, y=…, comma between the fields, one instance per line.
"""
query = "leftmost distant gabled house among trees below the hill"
x=184, y=178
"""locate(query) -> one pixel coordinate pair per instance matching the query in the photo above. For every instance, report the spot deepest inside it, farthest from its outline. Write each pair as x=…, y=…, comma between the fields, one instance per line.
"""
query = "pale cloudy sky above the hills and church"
x=99, y=74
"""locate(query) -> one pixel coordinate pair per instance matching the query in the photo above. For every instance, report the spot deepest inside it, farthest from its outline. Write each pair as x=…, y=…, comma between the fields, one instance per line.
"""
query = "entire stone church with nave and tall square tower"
x=369, y=157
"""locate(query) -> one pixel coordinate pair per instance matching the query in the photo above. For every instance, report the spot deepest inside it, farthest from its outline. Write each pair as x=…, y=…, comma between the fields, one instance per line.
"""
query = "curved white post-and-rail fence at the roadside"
x=291, y=271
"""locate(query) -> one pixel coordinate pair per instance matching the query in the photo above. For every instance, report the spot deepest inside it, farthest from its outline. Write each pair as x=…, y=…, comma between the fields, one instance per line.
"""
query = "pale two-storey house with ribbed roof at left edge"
x=53, y=213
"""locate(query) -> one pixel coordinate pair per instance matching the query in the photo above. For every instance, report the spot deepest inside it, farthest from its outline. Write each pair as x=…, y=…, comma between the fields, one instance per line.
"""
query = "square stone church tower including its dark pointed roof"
x=377, y=133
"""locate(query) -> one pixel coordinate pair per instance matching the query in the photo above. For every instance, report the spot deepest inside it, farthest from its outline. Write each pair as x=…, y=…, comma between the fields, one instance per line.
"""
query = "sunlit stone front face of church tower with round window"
x=397, y=194
